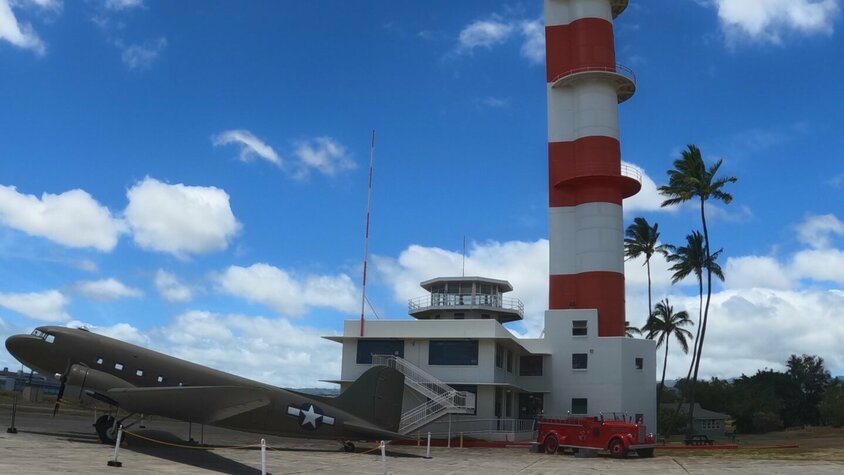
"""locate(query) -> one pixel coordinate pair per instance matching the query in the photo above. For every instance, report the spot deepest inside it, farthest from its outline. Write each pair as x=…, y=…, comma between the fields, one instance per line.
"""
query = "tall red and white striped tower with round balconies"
x=587, y=182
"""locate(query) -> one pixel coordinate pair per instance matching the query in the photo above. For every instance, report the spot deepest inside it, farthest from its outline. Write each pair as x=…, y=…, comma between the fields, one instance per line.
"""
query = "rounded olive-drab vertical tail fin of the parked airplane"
x=376, y=397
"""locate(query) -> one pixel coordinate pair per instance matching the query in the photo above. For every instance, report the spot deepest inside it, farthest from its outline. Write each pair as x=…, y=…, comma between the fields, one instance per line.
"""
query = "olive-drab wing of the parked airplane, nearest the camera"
x=202, y=404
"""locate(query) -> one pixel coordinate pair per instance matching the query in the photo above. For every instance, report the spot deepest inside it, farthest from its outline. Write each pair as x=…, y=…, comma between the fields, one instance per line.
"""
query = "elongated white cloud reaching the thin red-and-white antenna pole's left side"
x=285, y=293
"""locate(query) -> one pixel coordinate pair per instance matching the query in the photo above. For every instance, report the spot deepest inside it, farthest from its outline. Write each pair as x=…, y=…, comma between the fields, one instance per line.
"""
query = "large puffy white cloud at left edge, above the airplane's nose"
x=72, y=218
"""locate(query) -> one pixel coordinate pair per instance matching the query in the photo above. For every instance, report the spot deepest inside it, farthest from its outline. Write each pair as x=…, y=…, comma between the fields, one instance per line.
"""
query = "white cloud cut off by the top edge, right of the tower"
x=769, y=20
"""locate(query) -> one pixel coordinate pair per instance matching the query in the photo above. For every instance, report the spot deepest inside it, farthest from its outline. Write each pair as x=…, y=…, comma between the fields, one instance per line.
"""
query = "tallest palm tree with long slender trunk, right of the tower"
x=690, y=179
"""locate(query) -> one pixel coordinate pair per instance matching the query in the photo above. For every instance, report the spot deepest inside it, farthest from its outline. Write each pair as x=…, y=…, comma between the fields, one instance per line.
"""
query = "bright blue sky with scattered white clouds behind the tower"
x=192, y=176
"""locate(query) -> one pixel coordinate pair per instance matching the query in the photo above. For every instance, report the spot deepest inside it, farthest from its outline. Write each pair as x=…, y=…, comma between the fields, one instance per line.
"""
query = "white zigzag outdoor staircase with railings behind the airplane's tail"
x=442, y=398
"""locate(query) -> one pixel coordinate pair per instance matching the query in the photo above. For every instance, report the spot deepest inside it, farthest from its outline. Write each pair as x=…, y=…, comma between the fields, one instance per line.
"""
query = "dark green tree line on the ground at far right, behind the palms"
x=805, y=394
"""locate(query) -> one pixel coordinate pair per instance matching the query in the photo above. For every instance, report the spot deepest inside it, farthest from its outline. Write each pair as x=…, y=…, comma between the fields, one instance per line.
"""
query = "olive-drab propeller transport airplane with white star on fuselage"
x=139, y=381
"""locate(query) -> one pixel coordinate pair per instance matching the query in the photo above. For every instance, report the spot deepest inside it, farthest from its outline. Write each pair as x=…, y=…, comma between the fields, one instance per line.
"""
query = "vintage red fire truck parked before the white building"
x=611, y=432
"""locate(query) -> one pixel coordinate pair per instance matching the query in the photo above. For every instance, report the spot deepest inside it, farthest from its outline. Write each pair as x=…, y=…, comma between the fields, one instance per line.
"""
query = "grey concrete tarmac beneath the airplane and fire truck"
x=68, y=444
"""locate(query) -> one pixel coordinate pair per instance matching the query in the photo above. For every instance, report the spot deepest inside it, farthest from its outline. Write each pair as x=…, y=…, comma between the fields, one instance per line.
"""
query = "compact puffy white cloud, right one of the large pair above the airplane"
x=180, y=219
